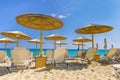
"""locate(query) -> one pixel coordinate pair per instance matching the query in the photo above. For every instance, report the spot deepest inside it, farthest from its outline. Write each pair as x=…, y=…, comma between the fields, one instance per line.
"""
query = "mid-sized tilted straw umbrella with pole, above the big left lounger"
x=16, y=34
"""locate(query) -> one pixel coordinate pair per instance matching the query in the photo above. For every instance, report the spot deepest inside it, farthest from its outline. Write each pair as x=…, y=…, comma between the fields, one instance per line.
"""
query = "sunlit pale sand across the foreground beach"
x=74, y=72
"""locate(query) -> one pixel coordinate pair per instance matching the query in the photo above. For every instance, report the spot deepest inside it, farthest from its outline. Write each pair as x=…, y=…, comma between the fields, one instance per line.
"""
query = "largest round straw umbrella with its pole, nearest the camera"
x=39, y=22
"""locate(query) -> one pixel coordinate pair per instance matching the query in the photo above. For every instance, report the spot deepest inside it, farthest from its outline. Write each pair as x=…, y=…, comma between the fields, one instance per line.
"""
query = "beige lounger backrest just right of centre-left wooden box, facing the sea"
x=60, y=54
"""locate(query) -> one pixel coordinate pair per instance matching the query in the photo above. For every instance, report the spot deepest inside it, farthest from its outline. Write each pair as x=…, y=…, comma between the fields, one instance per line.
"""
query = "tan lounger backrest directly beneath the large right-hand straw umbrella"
x=90, y=53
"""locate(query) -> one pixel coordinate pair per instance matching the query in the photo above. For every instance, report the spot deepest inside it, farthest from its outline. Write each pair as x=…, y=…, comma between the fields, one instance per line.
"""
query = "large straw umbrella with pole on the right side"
x=94, y=29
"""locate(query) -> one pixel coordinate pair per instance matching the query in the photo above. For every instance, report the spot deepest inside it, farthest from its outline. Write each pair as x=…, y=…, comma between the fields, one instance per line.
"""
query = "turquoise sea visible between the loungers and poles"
x=71, y=52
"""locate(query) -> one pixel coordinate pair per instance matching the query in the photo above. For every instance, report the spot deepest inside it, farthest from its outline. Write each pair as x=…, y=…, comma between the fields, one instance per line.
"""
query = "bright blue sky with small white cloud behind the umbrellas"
x=73, y=13
